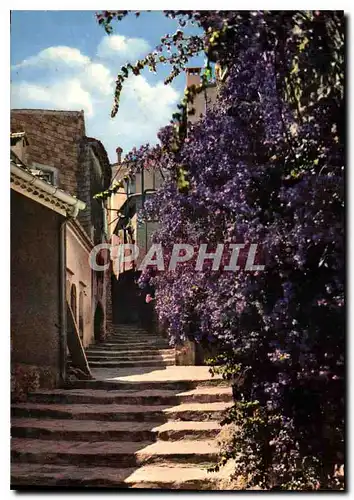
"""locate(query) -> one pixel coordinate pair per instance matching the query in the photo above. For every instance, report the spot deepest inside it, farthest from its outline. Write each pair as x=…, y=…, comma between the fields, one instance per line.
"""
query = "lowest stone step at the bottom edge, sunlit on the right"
x=150, y=476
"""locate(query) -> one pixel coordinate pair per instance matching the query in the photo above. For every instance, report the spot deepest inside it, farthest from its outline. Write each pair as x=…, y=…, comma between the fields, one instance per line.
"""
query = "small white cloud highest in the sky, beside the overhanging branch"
x=113, y=46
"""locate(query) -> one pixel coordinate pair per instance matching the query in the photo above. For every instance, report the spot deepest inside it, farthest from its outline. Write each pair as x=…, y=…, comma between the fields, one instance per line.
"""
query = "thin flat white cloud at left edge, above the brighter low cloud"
x=54, y=55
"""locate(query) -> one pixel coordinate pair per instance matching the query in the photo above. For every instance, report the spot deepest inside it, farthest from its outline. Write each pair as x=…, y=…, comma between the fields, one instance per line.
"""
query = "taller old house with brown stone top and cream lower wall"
x=57, y=148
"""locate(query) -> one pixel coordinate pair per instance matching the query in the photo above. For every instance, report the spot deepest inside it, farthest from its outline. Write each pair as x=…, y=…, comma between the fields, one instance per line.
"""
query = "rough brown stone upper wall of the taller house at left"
x=57, y=140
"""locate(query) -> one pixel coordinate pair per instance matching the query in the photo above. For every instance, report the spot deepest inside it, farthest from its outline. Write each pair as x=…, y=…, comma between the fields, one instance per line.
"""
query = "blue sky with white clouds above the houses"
x=65, y=60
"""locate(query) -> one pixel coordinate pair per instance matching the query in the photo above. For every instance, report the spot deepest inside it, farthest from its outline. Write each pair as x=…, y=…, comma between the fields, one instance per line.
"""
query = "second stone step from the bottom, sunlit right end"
x=114, y=453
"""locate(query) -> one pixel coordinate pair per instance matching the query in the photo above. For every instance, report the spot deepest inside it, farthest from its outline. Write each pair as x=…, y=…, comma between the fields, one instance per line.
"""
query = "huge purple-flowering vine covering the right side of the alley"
x=265, y=165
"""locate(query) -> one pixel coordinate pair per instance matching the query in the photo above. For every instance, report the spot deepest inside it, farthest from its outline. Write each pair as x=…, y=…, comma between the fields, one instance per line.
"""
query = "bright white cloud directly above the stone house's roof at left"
x=67, y=94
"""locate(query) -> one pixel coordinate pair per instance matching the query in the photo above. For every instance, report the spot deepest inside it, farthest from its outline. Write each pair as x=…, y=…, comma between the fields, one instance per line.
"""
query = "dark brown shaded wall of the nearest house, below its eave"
x=35, y=280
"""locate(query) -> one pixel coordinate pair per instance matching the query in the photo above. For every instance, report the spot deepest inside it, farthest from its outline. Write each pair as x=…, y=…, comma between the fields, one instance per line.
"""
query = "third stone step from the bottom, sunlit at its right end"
x=97, y=430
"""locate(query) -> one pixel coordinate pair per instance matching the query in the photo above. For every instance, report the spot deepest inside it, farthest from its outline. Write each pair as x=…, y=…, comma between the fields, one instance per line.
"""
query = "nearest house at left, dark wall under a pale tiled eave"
x=39, y=215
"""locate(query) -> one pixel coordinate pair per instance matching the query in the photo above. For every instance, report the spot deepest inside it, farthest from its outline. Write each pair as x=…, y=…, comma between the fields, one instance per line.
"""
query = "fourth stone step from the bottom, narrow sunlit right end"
x=114, y=412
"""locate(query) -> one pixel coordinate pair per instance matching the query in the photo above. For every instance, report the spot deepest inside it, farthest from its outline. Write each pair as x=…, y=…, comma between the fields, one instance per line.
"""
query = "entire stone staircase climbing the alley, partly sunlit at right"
x=121, y=433
